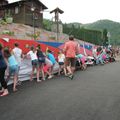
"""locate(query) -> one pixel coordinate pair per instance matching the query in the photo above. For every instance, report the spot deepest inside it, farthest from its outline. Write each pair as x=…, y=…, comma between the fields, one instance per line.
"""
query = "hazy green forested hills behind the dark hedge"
x=100, y=25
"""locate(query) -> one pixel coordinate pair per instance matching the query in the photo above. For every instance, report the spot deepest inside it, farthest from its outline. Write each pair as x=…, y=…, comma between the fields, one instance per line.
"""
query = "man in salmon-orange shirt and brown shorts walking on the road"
x=71, y=48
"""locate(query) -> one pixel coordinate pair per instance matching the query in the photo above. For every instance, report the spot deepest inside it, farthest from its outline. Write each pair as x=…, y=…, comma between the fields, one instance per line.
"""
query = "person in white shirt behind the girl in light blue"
x=17, y=52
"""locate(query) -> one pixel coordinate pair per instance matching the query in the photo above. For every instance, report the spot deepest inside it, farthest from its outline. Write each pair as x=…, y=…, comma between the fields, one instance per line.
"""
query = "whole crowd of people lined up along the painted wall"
x=43, y=63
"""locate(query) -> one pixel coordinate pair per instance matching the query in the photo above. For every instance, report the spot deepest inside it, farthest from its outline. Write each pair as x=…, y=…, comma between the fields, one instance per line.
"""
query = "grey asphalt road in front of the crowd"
x=94, y=94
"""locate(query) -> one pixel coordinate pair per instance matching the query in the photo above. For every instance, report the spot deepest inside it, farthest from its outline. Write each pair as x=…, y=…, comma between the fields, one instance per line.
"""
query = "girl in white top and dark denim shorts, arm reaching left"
x=35, y=64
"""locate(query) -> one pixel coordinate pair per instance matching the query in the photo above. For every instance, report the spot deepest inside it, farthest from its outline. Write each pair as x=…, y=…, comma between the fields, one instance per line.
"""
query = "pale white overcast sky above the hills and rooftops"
x=83, y=11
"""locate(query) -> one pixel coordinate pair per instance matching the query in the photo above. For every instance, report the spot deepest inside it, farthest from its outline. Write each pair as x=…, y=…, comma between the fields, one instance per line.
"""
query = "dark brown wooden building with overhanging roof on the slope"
x=28, y=12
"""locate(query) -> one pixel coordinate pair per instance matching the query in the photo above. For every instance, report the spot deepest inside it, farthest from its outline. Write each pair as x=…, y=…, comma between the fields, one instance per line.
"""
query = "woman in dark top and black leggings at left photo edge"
x=3, y=67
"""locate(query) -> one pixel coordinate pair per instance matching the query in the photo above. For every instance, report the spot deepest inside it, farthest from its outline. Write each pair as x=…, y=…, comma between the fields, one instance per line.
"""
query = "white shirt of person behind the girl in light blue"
x=17, y=52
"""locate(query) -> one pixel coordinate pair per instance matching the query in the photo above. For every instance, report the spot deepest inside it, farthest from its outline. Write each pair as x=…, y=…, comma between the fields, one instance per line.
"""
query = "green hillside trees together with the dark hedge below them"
x=96, y=32
